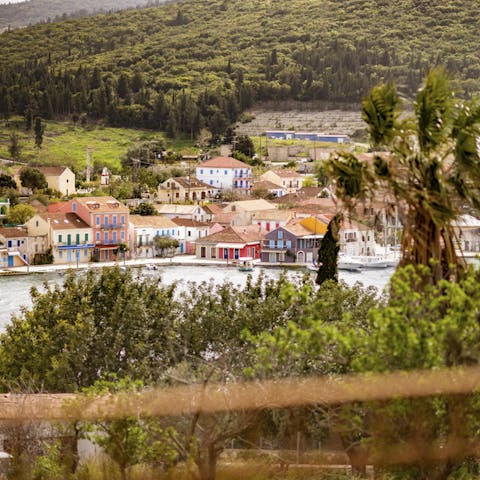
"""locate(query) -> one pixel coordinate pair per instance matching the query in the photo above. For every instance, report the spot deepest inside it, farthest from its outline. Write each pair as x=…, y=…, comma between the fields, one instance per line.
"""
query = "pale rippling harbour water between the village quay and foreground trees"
x=15, y=290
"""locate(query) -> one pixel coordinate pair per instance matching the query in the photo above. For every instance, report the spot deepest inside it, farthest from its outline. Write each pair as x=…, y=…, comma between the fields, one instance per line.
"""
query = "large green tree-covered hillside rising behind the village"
x=179, y=67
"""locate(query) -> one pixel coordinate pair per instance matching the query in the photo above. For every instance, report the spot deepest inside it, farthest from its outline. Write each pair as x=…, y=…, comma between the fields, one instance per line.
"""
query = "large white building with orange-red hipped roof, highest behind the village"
x=226, y=173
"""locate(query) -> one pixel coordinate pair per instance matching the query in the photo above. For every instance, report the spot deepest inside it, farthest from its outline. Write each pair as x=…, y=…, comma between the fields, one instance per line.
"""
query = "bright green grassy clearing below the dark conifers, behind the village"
x=66, y=144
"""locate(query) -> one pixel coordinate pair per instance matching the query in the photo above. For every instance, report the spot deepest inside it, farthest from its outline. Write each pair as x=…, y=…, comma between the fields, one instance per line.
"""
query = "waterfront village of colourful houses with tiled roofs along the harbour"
x=190, y=215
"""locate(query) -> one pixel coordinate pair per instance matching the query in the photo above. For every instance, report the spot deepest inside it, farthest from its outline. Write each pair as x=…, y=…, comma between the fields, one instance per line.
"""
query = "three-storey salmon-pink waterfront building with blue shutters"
x=109, y=221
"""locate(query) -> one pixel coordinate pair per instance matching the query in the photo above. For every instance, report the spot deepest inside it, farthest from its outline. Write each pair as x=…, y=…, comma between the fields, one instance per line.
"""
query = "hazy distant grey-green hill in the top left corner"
x=34, y=11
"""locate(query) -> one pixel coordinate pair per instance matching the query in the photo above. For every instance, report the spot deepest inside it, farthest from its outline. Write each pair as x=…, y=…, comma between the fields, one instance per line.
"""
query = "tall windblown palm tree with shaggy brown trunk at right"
x=427, y=163
